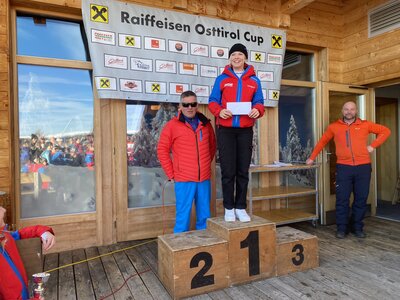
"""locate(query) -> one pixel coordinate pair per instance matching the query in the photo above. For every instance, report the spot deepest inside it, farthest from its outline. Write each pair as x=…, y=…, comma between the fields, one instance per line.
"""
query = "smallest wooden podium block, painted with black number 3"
x=296, y=250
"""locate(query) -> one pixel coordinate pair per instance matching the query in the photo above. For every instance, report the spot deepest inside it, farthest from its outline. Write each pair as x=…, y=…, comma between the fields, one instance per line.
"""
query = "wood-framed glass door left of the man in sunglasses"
x=145, y=198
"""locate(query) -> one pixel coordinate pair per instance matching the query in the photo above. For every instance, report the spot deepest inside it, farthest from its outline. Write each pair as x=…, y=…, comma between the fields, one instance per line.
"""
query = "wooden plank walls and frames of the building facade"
x=347, y=65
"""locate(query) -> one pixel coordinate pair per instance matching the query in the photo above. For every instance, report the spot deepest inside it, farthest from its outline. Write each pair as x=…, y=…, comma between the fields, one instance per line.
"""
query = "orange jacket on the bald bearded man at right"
x=351, y=141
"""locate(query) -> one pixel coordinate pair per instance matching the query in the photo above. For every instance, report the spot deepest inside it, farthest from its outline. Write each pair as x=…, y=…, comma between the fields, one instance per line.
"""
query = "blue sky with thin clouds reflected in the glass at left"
x=57, y=101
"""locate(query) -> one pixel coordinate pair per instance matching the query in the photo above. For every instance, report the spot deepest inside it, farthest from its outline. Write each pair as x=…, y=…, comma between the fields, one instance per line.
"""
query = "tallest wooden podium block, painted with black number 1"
x=252, y=247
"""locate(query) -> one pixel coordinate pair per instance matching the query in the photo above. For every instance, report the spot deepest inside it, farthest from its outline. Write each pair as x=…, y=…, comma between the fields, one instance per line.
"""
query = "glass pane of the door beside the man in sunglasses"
x=147, y=182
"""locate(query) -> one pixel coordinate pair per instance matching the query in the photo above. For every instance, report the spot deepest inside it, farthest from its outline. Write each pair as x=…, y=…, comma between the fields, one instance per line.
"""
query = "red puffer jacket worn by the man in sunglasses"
x=192, y=152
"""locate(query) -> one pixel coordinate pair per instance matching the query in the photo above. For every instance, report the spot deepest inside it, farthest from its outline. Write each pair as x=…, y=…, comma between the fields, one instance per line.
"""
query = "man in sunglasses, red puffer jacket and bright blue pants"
x=190, y=139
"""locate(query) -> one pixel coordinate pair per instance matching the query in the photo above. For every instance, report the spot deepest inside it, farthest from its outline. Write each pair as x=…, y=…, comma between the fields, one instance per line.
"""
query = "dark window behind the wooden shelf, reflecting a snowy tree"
x=297, y=115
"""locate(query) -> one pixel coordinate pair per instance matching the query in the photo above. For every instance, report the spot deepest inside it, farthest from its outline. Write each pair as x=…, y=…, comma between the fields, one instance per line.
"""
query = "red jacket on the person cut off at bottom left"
x=11, y=286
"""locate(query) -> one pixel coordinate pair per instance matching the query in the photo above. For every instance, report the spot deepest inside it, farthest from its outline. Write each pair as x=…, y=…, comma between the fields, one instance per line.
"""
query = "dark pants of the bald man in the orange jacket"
x=350, y=179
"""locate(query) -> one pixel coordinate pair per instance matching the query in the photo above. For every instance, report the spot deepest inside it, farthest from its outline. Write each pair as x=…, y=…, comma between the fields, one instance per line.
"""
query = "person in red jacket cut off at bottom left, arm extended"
x=13, y=278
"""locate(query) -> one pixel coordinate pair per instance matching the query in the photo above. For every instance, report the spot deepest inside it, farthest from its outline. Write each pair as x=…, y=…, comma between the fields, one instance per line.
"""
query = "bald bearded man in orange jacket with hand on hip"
x=353, y=168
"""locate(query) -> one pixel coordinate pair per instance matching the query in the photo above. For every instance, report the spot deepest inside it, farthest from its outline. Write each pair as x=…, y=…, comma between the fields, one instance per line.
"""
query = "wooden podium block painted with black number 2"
x=192, y=263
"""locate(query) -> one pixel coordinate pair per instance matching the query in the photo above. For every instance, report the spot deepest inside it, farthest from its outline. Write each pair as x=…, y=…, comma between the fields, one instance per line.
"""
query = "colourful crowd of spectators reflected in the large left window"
x=38, y=152
